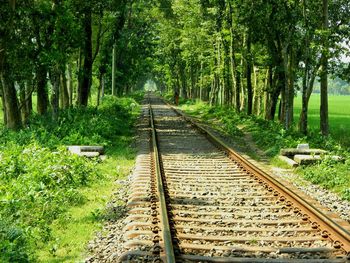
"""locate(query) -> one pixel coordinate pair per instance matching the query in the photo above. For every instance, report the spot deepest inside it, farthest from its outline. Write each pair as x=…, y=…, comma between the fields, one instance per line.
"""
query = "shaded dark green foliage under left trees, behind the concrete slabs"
x=77, y=125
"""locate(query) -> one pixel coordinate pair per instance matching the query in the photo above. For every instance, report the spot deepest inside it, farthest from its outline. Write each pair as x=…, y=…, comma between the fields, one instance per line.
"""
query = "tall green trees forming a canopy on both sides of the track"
x=251, y=55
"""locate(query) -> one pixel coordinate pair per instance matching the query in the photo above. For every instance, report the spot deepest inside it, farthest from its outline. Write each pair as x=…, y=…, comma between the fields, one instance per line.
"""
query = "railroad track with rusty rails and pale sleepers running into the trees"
x=195, y=200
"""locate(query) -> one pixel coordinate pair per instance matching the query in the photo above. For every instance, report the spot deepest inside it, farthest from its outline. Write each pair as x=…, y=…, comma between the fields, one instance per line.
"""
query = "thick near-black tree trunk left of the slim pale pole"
x=85, y=85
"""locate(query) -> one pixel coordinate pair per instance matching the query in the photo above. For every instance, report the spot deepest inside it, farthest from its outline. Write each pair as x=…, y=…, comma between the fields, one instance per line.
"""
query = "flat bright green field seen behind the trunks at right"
x=339, y=115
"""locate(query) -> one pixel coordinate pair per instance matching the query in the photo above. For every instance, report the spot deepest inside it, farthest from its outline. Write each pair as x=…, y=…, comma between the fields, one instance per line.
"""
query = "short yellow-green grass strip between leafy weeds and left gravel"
x=75, y=228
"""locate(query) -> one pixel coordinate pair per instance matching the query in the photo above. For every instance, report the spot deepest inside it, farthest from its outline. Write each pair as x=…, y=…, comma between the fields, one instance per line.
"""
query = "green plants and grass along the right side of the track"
x=271, y=137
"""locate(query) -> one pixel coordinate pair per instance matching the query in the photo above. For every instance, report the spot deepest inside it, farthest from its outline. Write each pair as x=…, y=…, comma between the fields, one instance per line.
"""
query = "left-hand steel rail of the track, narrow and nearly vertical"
x=168, y=254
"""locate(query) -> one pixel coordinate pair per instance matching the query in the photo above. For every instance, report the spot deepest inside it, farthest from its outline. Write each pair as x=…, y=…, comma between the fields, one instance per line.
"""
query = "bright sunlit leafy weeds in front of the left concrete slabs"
x=37, y=186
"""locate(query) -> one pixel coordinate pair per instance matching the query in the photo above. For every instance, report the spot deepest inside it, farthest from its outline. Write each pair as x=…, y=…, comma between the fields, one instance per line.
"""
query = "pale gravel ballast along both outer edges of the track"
x=108, y=244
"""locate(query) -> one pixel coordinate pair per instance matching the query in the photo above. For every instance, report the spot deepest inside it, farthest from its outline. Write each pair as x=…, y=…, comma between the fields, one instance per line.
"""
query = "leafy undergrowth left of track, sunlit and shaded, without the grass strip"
x=40, y=180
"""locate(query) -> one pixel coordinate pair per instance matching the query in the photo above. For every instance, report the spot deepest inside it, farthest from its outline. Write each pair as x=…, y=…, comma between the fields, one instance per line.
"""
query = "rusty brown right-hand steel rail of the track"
x=337, y=233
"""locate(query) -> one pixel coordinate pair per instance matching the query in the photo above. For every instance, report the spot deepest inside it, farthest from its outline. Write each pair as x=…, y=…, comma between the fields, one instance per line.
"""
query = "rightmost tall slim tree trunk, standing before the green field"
x=324, y=125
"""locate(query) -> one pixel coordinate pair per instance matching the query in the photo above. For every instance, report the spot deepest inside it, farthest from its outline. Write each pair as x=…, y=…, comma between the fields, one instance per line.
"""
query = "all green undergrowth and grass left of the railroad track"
x=51, y=201
